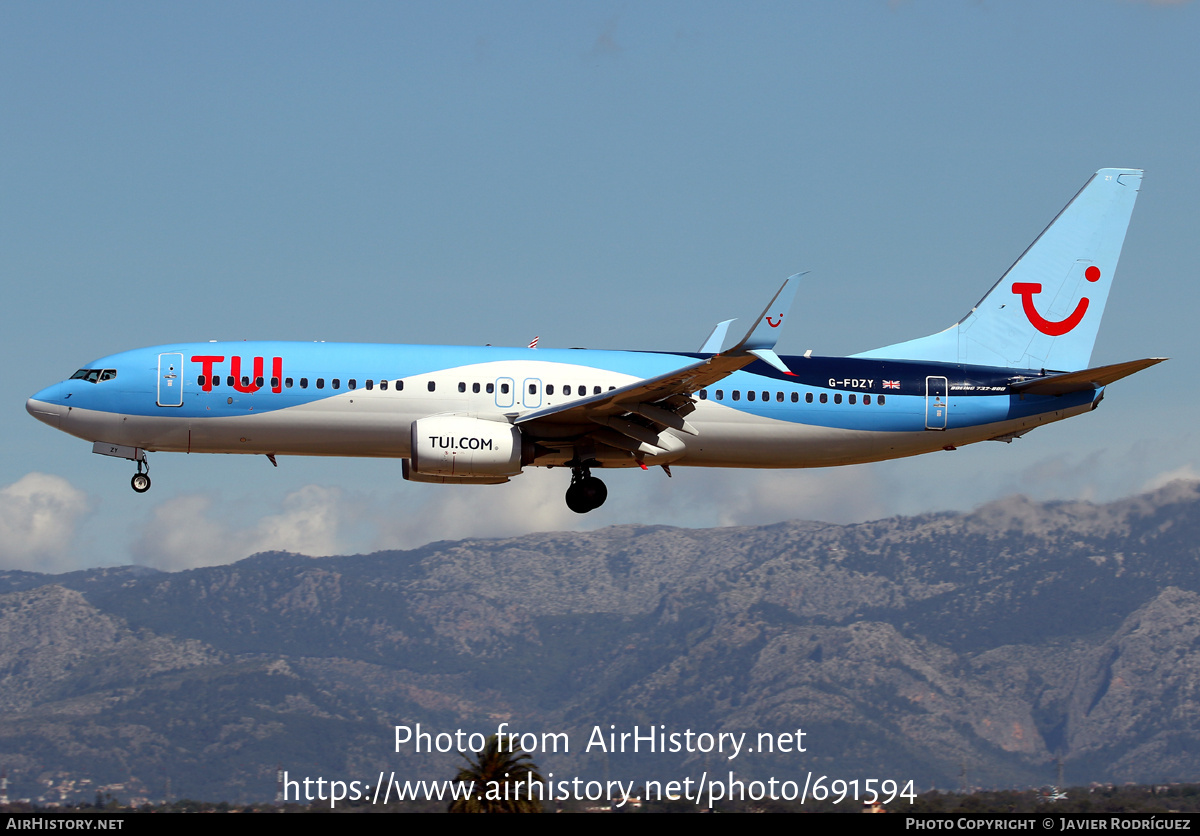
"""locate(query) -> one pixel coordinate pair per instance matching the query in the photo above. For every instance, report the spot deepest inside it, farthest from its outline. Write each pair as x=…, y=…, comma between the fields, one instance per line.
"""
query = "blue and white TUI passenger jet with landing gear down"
x=479, y=416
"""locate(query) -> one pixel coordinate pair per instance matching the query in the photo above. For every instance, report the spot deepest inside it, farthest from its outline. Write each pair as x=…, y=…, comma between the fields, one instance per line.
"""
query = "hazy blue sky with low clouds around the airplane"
x=602, y=175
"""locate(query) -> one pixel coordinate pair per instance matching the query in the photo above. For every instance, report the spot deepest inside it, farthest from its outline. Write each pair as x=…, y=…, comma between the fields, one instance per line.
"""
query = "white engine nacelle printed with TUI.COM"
x=465, y=448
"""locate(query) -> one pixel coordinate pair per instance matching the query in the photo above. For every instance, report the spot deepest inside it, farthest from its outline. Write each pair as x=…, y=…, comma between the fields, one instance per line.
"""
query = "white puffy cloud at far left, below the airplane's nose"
x=39, y=514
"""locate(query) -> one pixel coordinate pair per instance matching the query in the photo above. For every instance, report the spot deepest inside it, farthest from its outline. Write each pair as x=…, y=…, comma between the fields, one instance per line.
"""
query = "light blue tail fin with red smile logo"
x=1046, y=311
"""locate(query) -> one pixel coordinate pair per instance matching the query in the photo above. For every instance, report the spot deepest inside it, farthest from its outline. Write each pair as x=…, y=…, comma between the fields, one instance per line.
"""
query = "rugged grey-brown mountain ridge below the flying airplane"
x=1000, y=639
